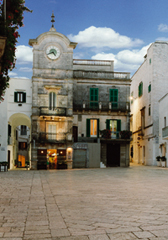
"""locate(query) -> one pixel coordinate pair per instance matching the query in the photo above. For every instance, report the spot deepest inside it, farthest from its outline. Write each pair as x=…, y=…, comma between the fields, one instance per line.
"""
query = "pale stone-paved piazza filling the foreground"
x=88, y=204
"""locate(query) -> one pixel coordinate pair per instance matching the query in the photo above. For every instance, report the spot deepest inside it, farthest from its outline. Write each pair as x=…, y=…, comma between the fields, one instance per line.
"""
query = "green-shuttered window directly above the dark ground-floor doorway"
x=114, y=126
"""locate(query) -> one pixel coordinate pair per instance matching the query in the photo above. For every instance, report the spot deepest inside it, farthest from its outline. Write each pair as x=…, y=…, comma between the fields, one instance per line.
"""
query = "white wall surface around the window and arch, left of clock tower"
x=15, y=115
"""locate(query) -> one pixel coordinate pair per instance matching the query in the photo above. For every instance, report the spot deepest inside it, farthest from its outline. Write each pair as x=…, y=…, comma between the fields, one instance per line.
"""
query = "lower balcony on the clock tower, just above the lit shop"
x=52, y=137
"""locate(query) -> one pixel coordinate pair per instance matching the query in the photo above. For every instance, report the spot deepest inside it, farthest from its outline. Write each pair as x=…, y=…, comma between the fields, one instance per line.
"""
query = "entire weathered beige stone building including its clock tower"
x=72, y=101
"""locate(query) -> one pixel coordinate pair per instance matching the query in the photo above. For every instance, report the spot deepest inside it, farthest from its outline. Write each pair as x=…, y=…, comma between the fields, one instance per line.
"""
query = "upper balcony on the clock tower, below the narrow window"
x=56, y=111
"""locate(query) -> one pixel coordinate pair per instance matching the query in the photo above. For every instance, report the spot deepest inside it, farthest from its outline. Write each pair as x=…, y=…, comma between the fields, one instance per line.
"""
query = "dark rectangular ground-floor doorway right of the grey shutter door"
x=113, y=155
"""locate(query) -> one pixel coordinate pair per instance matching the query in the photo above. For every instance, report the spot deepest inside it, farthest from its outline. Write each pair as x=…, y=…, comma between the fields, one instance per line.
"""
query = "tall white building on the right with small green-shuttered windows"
x=149, y=84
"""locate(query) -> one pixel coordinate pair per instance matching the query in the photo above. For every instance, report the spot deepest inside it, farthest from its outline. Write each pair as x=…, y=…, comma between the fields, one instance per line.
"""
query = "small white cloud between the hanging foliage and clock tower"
x=24, y=54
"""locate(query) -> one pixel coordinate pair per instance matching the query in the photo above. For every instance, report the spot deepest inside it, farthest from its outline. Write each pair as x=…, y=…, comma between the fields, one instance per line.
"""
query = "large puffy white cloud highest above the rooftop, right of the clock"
x=103, y=37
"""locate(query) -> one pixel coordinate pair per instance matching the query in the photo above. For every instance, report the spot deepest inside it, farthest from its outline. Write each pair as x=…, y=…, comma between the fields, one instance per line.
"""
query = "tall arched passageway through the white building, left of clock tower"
x=19, y=138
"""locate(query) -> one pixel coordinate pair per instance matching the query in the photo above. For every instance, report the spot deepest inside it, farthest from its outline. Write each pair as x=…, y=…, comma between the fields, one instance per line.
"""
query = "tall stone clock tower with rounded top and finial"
x=52, y=103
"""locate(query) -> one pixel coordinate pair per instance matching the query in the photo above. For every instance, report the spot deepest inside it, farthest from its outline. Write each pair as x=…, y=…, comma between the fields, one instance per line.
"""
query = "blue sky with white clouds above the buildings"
x=116, y=30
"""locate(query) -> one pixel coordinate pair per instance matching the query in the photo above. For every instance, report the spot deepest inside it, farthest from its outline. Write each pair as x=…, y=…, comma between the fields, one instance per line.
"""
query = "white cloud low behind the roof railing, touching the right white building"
x=126, y=60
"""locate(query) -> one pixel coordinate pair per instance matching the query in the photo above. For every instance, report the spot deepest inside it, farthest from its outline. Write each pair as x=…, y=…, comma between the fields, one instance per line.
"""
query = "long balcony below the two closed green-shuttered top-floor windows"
x=101, y=106
